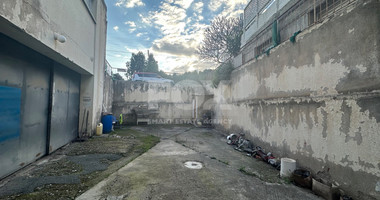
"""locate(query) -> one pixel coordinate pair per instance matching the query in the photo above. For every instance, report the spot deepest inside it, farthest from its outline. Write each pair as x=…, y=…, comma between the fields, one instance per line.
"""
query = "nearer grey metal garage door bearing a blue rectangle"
x=24, y=96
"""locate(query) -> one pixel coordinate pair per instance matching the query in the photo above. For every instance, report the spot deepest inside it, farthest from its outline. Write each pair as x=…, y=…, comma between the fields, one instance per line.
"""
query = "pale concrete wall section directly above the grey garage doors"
x=42, y=18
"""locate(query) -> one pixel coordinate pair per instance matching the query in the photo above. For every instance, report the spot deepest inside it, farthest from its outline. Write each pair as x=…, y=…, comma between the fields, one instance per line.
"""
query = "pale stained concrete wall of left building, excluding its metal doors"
x=34, y=23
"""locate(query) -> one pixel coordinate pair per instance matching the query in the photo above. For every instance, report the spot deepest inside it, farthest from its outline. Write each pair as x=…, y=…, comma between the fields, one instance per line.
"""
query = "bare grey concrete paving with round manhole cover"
x=160, y=173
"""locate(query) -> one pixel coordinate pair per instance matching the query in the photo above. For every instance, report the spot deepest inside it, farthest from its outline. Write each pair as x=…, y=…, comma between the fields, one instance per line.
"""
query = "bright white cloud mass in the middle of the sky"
x=175, y=50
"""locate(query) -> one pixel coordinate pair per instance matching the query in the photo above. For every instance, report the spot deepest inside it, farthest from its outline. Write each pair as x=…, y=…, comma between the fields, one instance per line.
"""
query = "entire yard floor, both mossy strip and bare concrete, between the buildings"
x=110, y=167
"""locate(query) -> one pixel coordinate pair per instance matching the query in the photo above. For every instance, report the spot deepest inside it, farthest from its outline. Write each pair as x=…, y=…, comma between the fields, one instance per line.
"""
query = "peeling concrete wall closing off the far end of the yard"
x=183, y=100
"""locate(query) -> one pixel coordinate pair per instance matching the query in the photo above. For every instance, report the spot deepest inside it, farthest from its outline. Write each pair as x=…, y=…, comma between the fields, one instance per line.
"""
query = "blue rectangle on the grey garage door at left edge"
x=10, y=104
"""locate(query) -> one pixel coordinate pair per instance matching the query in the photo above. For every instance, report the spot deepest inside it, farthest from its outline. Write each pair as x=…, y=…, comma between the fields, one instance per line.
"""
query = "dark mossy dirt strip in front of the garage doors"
x=82, y=165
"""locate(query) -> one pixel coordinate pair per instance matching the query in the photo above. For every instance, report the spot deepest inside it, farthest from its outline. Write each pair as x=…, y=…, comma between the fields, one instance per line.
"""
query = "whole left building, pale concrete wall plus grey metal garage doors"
x=52, y=57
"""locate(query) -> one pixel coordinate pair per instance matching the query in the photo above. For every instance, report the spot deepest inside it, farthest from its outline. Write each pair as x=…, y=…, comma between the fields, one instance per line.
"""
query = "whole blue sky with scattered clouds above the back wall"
x=171, y=30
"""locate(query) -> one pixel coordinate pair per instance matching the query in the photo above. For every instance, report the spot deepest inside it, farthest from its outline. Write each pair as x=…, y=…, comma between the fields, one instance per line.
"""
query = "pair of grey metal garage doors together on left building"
x=25, y=79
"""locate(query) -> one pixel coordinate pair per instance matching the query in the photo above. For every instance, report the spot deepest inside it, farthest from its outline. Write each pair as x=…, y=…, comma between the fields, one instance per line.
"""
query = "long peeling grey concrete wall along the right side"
x=317, y=100
